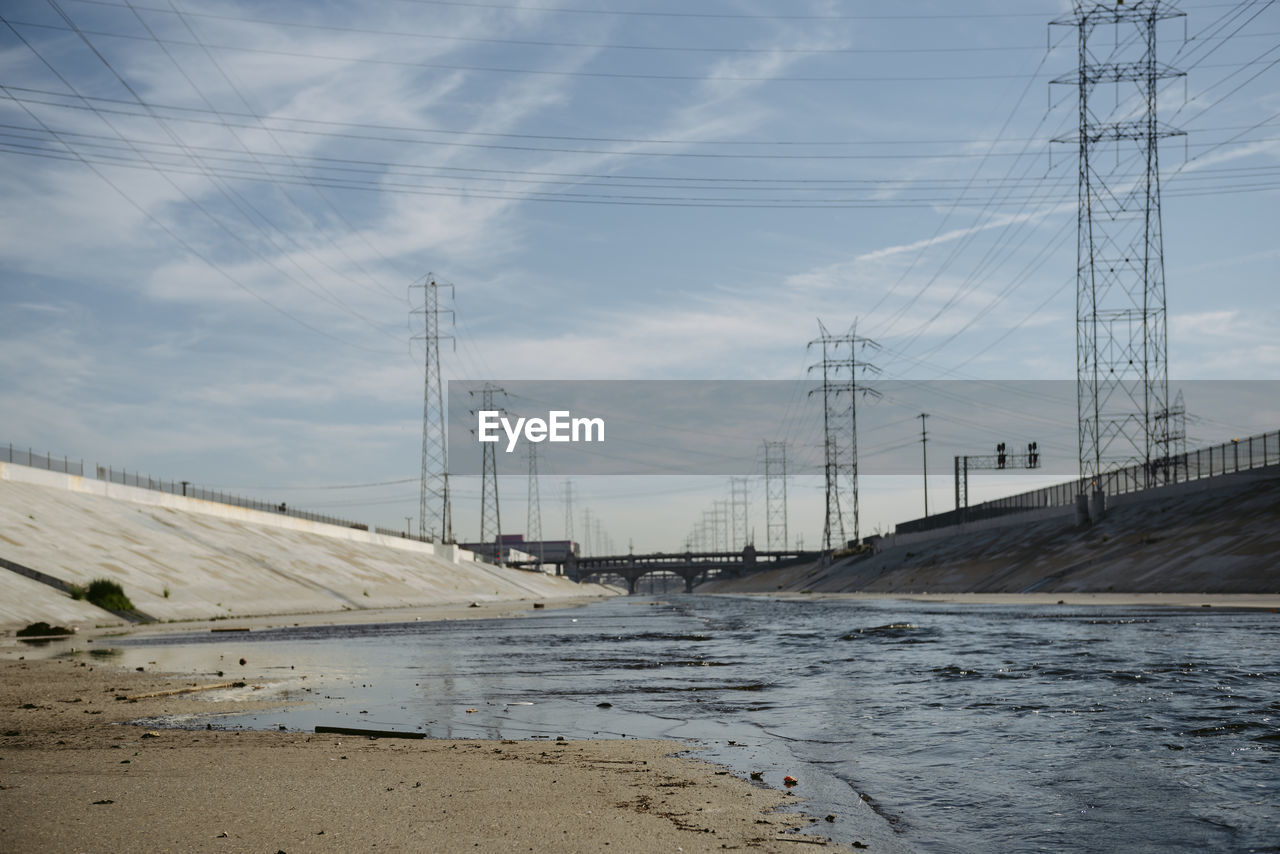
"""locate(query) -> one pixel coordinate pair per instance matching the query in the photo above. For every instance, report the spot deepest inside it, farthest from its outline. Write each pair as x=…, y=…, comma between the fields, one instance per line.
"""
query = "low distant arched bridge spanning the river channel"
x=692, y=567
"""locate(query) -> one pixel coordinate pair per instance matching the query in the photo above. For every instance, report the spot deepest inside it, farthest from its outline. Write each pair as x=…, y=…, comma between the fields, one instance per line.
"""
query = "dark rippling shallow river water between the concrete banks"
x=921, y=727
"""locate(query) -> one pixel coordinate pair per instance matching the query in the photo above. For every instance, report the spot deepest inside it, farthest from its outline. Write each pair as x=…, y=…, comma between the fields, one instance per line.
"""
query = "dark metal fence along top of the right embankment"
x=1229, y=458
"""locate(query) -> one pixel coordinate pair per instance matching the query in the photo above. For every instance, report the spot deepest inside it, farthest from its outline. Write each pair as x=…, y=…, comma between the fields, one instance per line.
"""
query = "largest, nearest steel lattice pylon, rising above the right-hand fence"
x=1121, y=327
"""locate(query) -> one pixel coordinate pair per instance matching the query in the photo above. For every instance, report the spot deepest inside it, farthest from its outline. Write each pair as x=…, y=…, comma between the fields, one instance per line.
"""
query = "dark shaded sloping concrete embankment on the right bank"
x=1214, y=536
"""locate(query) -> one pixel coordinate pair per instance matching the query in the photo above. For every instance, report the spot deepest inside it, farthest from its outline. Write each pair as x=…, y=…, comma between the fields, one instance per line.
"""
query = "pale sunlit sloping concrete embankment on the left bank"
x=182, y=559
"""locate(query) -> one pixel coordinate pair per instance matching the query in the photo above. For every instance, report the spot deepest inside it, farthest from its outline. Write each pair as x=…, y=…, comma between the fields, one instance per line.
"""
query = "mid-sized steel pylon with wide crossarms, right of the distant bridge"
x=840, y=390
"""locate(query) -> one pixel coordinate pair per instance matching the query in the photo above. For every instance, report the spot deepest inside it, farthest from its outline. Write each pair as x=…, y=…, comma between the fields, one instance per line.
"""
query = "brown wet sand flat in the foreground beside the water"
x=76, y=777
